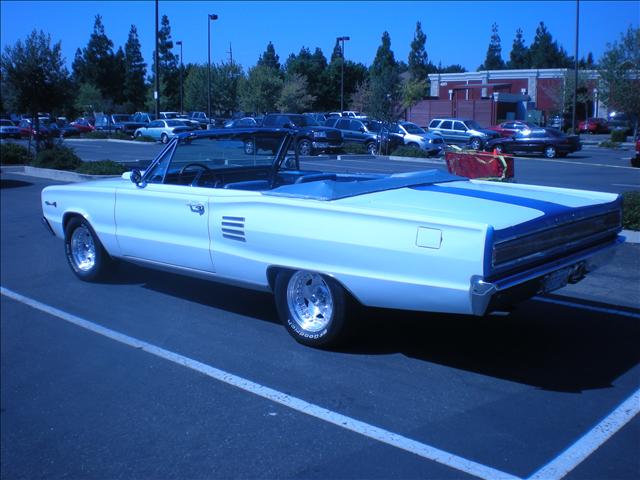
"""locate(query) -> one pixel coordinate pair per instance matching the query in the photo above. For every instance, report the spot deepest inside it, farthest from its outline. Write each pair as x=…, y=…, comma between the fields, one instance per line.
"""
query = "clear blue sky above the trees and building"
x=457, y=32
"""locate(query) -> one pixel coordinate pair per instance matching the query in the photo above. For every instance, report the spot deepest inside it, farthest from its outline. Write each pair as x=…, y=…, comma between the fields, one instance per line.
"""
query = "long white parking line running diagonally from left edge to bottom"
x=370, y=431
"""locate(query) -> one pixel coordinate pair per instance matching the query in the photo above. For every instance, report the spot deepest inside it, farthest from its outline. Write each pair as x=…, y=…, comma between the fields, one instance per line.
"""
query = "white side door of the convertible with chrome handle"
x=164, y=223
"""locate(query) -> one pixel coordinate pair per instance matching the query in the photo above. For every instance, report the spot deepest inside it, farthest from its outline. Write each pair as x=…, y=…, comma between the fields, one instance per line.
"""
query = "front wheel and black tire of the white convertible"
x=85, y=254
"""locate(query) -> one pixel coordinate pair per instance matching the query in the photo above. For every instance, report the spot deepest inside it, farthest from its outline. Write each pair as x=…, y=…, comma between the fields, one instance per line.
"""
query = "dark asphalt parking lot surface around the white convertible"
x=152, y=375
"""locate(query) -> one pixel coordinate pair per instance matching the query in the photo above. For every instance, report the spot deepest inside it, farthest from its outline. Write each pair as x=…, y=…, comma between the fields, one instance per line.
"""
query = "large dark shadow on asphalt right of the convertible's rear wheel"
x=553, y=347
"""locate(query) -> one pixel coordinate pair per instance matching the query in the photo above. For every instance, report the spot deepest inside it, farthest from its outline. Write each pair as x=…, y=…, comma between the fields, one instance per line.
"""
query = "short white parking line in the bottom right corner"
x=591, y=441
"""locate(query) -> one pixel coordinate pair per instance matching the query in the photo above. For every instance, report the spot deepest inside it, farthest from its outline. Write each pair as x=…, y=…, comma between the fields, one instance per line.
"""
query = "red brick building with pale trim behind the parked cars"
x=492, y=96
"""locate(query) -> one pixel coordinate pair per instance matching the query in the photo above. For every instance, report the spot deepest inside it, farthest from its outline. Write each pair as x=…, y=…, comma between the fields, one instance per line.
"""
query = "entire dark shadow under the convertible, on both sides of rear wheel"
x=549, y=346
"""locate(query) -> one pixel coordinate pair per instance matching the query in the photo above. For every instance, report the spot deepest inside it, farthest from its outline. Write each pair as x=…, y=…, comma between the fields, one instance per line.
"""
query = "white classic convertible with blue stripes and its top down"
x=235, y=206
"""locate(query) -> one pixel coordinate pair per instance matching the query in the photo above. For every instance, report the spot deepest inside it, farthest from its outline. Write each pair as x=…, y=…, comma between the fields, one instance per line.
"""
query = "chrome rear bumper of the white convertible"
x=486, y=296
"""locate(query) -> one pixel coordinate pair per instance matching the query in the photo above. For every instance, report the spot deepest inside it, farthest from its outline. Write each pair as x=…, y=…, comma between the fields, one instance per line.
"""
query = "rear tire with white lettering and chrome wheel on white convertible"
x=302, y=288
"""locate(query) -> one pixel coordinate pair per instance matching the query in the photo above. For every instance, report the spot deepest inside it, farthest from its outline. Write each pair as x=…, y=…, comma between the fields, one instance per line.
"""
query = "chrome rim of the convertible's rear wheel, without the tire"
x=310, y=301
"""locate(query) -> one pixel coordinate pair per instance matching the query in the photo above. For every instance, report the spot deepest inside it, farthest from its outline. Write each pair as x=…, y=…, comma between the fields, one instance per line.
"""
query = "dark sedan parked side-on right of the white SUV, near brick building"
x=546, y=141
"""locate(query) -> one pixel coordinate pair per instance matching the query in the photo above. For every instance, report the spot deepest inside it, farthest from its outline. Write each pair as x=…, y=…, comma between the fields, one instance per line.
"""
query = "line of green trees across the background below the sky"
x=34, y=77
